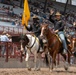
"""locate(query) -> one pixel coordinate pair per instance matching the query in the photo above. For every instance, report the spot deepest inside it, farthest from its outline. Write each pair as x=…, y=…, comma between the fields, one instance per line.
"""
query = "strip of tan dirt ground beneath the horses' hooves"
x=43, y=71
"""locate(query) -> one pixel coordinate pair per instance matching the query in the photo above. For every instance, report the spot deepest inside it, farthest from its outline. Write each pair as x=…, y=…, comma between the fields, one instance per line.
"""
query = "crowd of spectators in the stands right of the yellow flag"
x=69, y=17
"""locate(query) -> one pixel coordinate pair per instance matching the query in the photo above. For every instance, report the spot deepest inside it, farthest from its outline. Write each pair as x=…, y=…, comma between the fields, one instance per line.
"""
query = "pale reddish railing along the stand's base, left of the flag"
x=12, y=30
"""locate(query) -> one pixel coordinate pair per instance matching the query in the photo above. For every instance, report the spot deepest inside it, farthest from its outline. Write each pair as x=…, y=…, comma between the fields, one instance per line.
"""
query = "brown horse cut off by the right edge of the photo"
x=72, y=47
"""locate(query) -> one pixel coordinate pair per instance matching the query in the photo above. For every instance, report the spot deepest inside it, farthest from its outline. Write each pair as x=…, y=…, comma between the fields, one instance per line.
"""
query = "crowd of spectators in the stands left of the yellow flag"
x=7, y=15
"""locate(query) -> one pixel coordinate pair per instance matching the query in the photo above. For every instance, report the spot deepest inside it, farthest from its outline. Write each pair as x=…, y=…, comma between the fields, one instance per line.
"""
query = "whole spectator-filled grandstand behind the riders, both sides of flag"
x=8, y=22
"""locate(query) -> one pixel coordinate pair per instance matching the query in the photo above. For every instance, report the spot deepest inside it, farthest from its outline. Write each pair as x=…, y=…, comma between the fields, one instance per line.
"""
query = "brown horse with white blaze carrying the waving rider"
x=54, y=44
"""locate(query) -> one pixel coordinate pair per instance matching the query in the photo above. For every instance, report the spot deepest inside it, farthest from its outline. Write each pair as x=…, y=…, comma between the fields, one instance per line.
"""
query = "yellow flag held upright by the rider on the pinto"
x=26, y=13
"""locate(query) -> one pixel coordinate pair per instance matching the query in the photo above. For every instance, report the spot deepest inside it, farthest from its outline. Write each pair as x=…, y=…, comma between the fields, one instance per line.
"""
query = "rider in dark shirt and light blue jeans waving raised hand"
x=59, y=28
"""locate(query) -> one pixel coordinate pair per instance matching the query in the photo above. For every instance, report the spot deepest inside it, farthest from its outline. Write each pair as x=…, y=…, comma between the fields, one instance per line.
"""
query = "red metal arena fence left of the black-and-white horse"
x=12, y=50
